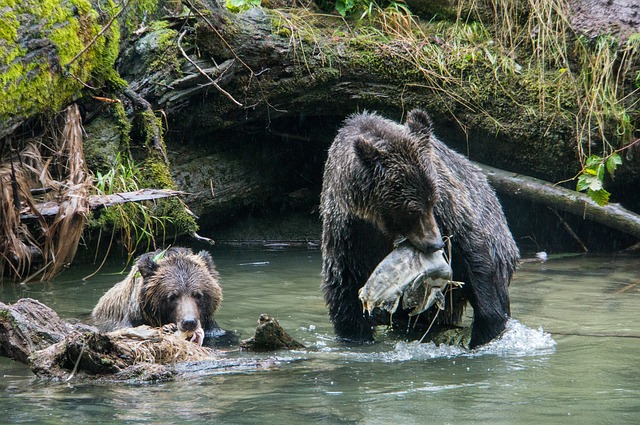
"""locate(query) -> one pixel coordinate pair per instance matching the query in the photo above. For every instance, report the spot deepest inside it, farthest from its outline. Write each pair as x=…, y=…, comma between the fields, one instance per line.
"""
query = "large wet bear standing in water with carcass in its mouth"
x=385, y=182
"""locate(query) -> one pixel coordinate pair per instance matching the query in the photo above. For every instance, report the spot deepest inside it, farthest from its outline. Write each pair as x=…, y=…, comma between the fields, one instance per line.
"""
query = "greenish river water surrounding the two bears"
x=571, y=355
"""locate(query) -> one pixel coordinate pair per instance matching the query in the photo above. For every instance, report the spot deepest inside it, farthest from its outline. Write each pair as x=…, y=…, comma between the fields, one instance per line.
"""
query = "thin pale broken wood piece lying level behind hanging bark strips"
x=47, y=209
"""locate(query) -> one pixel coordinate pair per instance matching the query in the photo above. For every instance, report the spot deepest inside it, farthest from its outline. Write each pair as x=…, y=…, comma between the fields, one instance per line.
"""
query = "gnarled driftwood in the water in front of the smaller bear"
x=33, y=334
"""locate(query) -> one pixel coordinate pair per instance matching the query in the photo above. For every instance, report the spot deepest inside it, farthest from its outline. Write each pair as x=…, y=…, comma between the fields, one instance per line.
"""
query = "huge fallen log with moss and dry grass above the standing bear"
x=223, y=70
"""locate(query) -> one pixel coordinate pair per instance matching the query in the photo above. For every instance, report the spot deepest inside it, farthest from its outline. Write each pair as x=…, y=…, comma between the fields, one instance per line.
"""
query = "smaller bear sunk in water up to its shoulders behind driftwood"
x=166, y=286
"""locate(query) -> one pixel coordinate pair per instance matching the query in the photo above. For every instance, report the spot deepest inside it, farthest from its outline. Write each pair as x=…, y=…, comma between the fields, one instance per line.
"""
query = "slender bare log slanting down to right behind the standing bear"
x=539, y=191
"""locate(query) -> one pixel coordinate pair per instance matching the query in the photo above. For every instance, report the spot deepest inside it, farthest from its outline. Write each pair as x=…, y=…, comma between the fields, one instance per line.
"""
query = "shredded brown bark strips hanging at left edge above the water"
x=50, y=167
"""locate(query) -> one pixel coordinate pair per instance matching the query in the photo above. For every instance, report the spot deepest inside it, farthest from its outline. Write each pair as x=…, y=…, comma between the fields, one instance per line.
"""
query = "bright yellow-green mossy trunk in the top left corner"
x=45, y=79
